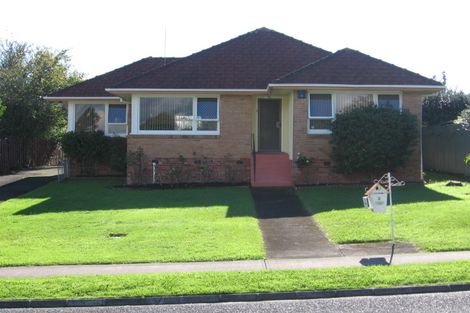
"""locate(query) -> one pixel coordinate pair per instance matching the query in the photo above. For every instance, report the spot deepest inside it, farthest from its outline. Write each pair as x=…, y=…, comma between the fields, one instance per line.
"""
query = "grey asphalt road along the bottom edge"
x=426, y=303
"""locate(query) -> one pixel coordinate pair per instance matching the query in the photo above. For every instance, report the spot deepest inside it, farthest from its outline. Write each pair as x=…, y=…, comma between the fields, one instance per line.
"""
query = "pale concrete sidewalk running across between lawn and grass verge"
x=252, y=265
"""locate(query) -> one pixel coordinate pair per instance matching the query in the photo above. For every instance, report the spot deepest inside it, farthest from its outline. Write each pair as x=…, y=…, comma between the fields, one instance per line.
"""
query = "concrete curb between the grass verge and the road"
x=246, y=297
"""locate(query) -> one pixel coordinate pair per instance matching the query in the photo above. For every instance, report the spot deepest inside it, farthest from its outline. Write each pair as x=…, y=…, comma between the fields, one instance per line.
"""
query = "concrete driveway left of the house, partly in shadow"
x=14, y=185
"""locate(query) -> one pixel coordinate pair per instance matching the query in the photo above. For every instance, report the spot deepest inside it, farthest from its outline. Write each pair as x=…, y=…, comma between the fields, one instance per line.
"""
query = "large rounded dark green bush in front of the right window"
x=372, y=140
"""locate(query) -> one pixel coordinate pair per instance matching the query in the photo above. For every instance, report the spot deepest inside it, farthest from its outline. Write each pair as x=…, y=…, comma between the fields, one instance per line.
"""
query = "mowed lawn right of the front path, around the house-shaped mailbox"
x=435, y=217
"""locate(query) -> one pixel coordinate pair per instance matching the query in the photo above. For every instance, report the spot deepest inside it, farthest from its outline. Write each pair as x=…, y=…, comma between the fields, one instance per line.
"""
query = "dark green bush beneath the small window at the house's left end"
x=94, y=147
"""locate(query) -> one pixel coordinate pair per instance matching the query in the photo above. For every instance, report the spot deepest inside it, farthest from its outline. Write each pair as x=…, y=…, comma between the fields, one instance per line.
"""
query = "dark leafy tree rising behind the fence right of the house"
x=444, y=106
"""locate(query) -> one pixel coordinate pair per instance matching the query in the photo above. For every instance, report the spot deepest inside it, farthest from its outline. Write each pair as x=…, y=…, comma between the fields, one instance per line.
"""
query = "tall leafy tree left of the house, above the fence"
x=27, y=74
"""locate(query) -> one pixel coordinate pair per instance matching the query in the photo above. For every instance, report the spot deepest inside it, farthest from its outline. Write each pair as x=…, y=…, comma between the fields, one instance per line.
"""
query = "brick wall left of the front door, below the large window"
x=223, y=158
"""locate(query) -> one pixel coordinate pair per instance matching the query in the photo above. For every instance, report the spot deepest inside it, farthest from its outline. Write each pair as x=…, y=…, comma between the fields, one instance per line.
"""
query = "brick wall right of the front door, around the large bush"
x=319, y=148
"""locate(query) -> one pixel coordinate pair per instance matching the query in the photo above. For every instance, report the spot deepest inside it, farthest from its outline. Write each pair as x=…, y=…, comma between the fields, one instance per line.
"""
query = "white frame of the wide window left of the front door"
x=194, y=131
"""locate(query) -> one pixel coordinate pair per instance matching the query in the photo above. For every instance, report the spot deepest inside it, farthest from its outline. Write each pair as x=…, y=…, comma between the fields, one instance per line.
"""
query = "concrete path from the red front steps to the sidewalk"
x=288, y=229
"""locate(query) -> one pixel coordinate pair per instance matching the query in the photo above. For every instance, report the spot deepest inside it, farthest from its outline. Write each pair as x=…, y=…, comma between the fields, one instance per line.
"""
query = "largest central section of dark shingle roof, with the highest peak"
x=250, y=61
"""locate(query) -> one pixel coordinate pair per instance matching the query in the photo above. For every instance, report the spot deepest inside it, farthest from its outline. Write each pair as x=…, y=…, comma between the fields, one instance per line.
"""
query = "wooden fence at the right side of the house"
x=445, y=148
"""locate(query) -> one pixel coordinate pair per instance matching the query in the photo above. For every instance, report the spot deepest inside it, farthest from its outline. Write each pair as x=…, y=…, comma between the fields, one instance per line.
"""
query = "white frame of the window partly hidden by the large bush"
x=333, y=93
